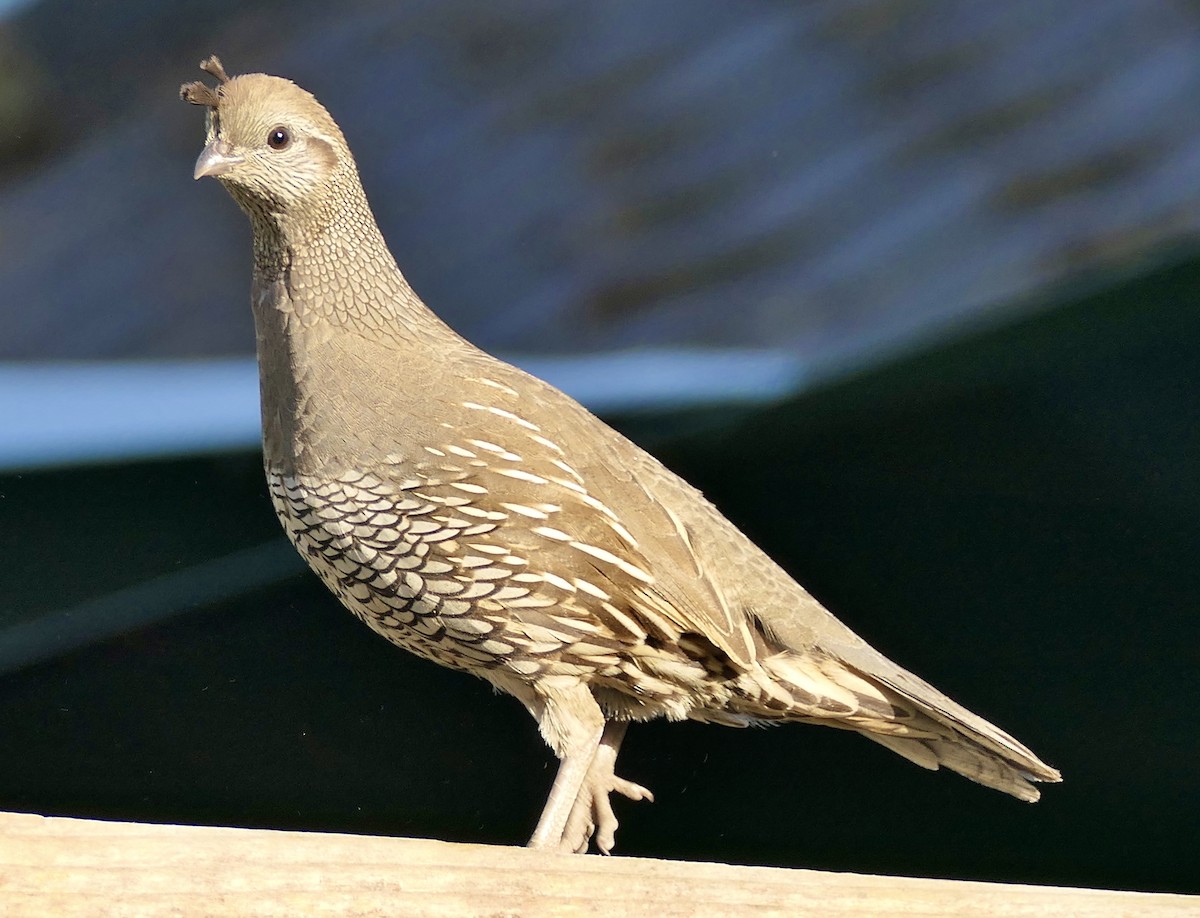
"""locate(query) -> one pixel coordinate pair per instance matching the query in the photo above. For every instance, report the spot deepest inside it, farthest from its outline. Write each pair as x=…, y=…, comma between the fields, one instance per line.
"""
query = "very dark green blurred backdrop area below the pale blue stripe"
x=1013, y=515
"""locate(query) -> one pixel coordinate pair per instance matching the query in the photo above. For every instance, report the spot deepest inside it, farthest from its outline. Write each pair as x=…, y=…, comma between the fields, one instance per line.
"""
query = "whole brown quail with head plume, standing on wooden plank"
x=481, y=518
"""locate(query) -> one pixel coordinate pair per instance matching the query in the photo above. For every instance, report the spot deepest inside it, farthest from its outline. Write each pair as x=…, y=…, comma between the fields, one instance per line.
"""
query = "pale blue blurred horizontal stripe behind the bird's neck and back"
x=70, y=413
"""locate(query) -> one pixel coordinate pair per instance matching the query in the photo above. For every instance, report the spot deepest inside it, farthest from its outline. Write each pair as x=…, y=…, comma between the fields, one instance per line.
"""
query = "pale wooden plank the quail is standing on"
x=68, y=868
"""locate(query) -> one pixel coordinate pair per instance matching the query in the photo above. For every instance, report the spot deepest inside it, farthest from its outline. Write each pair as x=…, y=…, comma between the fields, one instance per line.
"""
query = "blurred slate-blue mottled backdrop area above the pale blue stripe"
x=831, y=178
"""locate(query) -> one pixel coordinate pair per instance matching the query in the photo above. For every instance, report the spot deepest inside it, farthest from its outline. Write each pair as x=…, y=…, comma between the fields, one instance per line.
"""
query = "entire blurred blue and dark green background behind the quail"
x=908, y=287
